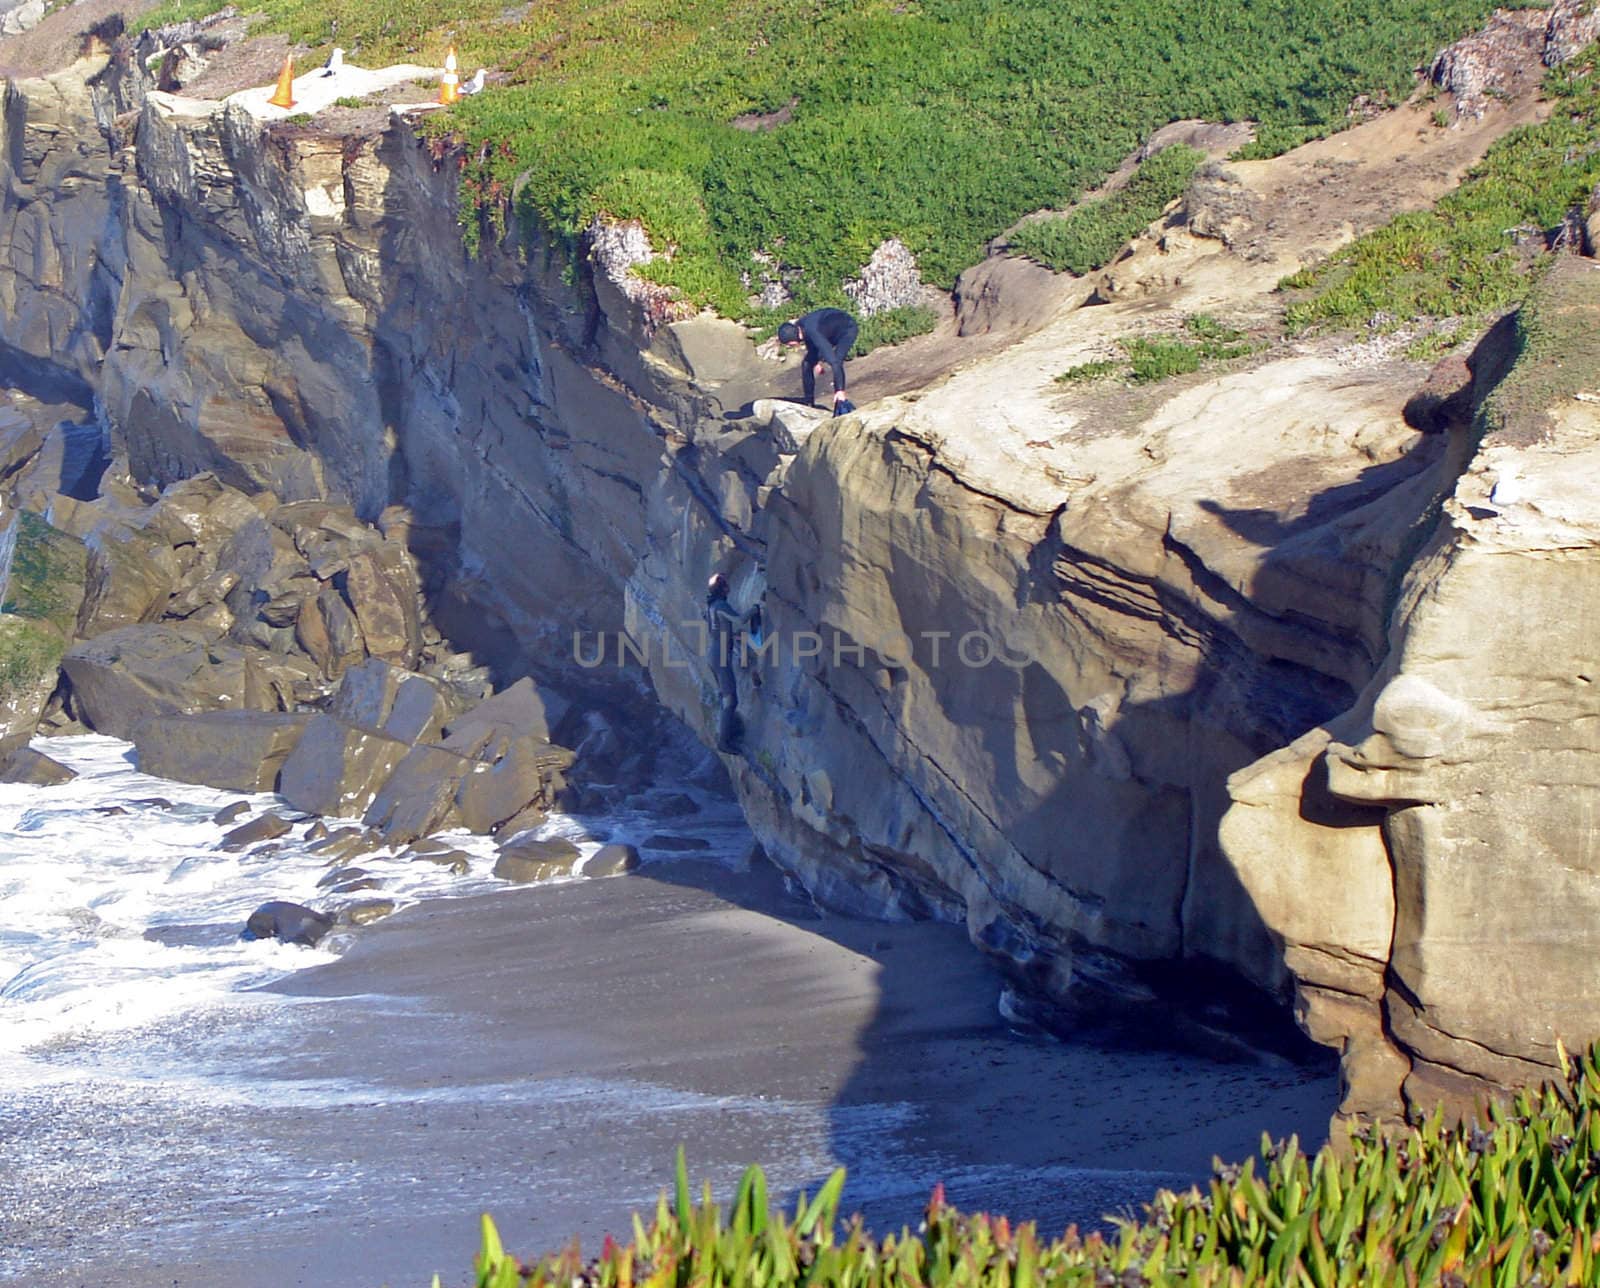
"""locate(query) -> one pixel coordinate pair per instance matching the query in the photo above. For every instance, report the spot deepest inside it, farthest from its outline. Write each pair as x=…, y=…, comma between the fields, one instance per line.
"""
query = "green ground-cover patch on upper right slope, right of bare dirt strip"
x=1481, y=249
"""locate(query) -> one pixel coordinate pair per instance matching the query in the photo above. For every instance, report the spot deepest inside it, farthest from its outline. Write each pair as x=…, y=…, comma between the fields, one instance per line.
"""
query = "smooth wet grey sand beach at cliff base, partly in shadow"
x=542, y=1054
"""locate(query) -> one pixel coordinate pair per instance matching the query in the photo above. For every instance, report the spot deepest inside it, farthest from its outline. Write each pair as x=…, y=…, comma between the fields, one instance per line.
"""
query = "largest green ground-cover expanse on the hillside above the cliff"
x=942, y=122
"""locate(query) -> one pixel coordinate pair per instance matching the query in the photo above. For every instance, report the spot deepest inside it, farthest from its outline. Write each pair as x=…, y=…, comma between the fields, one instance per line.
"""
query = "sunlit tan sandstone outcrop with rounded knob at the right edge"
x=1430, y=858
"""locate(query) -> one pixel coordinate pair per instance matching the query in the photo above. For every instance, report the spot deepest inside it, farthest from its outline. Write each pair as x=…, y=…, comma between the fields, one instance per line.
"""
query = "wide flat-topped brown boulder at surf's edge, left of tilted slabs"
x=239, y=751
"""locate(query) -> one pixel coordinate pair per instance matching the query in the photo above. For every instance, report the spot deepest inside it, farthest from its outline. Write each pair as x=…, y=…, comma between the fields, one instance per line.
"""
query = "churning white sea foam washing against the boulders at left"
x=119, y=908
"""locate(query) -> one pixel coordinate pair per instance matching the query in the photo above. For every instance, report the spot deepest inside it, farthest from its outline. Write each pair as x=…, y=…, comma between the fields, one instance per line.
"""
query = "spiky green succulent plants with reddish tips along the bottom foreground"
x=1505, y=1201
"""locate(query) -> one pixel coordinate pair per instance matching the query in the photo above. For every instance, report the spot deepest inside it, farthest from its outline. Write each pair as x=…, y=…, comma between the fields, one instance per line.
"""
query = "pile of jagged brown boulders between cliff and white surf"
x=252, y=646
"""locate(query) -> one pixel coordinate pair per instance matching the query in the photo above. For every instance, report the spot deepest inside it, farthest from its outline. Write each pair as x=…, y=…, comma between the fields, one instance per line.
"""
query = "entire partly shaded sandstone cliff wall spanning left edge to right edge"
x=1017, y=642
